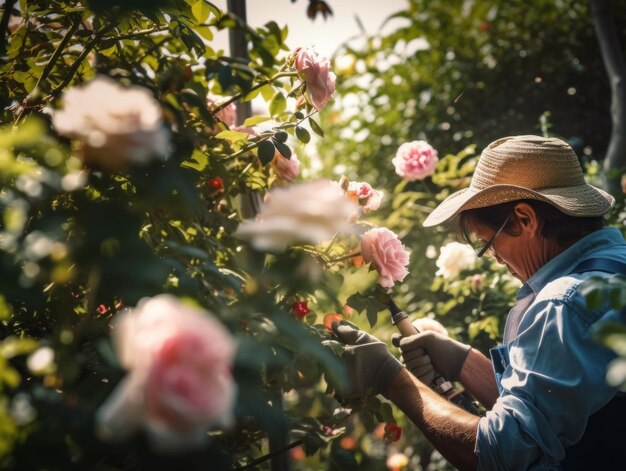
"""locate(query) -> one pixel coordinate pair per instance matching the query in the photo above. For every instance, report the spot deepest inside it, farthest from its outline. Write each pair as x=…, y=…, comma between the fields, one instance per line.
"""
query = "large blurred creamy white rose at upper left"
x=116, y=125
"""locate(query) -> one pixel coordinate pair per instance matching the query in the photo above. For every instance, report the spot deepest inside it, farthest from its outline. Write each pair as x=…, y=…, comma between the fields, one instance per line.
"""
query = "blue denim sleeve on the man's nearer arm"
x=554, y=382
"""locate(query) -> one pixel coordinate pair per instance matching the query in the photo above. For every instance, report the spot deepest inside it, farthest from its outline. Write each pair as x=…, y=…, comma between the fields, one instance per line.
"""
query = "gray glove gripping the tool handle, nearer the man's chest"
x=429, y=351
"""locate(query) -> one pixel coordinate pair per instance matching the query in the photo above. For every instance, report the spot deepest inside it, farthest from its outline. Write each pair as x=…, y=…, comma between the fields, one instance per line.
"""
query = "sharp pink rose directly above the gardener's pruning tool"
x=383, y=249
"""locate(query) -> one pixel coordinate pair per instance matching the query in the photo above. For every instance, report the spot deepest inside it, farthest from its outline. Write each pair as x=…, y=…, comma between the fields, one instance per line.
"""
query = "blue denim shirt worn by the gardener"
x=555, y=378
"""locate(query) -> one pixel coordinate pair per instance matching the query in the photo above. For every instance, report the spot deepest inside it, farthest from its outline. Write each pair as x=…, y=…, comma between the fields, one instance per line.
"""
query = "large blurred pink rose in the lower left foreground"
x=179, y=382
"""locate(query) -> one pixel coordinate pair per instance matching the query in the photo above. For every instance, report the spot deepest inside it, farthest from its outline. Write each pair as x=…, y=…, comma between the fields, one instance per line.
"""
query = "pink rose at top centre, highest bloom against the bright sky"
x=316, y=74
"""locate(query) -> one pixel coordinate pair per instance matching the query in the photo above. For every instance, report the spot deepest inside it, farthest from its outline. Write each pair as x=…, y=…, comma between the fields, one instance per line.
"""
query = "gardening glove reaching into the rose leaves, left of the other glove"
x=369, y=361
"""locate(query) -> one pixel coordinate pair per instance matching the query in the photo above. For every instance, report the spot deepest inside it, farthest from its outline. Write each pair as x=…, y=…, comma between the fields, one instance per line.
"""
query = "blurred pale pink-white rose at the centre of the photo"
x=310, y=212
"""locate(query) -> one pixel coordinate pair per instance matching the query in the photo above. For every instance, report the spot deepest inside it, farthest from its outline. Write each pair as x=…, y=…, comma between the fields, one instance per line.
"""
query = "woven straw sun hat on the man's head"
x=526, y=167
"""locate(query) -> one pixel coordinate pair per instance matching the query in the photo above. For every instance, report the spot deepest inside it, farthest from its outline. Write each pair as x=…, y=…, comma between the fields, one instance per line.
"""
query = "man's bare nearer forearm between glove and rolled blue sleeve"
x=449, y=428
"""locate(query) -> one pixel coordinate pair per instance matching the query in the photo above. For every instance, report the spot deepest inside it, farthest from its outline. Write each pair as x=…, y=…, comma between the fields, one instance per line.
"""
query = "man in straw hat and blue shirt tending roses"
x=548, y=404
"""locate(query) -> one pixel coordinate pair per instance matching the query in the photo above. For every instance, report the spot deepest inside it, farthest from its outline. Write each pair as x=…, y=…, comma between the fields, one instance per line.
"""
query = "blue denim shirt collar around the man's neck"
x=564, y=262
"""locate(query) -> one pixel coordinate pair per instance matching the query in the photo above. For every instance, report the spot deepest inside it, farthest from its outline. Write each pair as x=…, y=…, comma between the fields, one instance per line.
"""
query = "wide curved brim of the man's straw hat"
x=581, y=201
